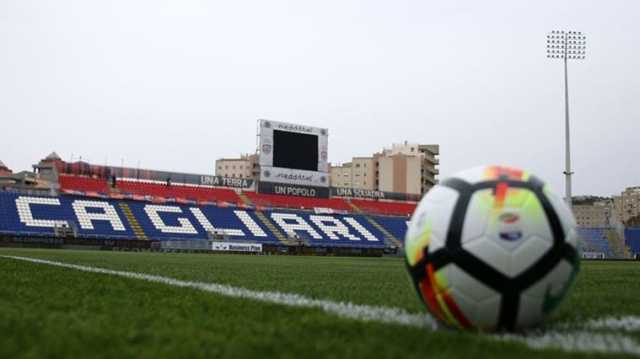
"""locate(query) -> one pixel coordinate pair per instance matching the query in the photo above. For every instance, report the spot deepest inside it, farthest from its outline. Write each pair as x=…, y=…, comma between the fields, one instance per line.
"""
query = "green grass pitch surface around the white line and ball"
x=49, y=311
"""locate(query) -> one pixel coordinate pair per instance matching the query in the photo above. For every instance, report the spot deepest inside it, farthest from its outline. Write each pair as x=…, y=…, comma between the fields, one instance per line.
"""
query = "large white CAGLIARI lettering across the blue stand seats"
x=100, y=217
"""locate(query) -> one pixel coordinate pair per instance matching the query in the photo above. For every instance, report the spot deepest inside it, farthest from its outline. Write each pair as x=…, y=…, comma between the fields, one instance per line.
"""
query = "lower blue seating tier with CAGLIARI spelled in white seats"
x=27, y=215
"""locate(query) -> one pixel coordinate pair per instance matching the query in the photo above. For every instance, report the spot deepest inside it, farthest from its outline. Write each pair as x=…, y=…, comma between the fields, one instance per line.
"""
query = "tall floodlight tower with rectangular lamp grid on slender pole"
x=566, y=45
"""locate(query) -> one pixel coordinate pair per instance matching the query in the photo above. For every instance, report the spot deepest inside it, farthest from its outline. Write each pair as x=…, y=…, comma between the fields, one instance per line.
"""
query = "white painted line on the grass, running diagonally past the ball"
x=580, y=341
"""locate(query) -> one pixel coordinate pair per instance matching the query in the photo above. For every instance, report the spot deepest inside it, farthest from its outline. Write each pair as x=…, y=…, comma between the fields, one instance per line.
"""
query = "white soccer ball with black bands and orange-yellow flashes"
x=491, y=249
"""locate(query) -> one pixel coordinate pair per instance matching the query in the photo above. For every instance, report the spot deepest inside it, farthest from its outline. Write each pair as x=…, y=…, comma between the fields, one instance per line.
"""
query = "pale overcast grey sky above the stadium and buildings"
x=177, y=84
